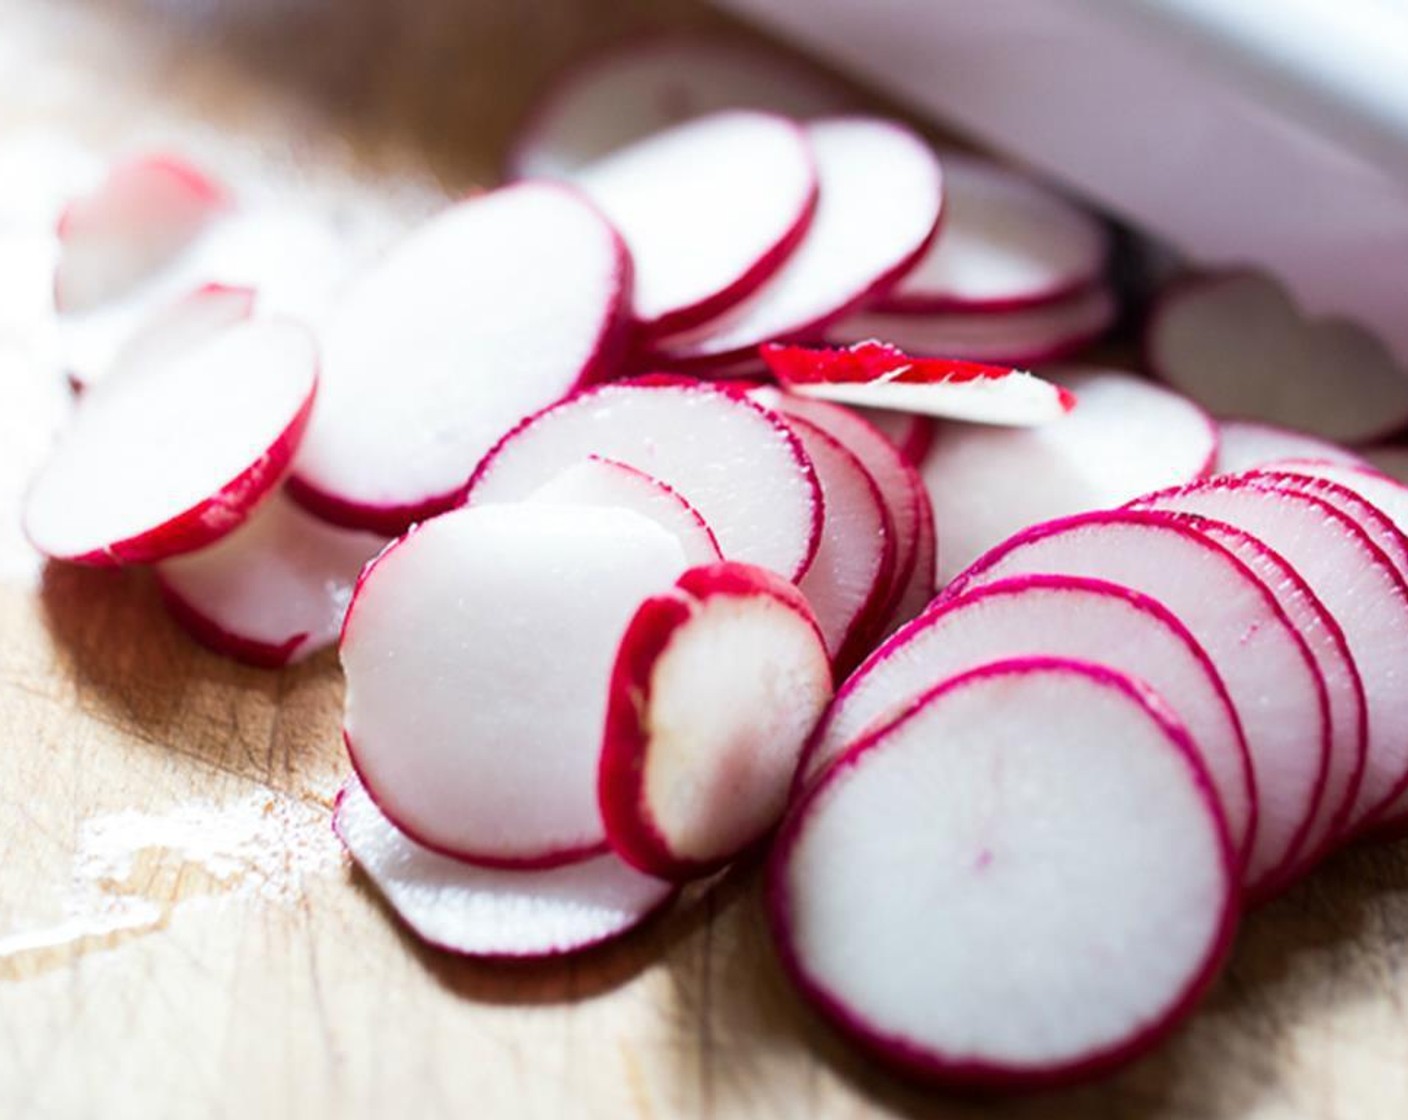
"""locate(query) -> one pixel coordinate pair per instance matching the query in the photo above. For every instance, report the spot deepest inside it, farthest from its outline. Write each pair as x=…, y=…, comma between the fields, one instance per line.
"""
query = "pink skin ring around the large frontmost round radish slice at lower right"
x=926, y=1066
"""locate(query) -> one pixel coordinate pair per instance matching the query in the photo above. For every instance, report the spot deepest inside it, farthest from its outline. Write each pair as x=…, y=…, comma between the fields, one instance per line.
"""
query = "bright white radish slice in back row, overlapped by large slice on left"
x=709, y=211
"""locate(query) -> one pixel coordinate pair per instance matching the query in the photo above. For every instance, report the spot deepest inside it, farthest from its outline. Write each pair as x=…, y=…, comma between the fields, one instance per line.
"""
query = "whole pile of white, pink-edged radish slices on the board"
x=626, y=491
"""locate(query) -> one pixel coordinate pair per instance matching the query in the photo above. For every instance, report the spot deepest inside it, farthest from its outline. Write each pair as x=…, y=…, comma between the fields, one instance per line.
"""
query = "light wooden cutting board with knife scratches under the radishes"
x=181, y=938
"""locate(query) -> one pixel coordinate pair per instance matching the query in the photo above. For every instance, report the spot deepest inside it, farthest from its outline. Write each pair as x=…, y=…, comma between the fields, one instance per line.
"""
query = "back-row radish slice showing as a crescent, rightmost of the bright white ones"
x=881, y=198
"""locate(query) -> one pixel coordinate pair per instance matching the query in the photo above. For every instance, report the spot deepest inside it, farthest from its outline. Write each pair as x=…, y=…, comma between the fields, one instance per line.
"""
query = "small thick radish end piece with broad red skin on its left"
x=716, y=688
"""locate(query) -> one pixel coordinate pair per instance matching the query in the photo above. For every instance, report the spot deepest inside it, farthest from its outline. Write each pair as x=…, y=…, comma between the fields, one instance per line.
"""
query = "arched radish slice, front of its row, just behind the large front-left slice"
x=737, y=464
